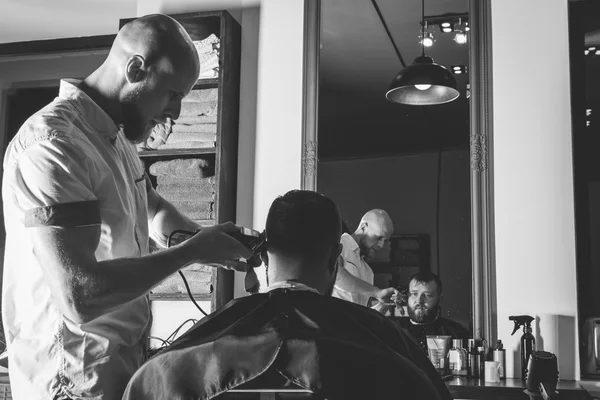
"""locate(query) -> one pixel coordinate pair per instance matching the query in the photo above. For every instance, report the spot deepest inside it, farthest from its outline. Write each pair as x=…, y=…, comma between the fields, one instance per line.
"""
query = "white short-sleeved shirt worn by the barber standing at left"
x=68, y=166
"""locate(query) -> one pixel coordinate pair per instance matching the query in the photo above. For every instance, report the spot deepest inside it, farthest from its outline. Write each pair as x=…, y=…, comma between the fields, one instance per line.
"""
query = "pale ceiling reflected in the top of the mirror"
x=356, y=51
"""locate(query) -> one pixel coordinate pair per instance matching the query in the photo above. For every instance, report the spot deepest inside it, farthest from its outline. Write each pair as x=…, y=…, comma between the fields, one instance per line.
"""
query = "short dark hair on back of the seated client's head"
x=302, y=222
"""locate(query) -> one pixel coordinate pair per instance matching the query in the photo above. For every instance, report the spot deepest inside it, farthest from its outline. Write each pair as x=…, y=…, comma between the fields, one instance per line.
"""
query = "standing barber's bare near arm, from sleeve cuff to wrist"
x=85, y=288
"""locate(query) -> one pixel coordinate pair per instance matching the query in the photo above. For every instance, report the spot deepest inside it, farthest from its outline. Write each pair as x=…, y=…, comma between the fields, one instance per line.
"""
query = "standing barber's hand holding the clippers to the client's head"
x=215, y=247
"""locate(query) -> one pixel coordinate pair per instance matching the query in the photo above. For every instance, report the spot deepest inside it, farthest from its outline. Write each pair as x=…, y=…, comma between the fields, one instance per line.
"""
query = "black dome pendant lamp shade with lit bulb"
x=423, y=83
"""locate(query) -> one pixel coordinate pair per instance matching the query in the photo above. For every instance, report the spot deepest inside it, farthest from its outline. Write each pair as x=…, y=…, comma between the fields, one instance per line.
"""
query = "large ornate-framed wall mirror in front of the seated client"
x=427, y=166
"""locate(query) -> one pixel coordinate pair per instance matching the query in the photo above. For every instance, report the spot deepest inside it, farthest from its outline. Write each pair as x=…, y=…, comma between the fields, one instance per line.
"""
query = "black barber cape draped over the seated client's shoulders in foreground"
x=335, y=348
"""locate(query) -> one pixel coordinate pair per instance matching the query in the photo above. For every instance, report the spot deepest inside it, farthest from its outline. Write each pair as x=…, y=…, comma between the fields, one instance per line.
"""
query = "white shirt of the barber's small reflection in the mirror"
x=354, y=263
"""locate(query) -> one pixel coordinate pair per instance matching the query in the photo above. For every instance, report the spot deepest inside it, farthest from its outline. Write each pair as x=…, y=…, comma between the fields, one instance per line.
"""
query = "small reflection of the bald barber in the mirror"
x=354, y=280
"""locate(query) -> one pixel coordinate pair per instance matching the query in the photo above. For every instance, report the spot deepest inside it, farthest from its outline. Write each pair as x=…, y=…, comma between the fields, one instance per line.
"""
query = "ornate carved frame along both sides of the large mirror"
x=482, y=229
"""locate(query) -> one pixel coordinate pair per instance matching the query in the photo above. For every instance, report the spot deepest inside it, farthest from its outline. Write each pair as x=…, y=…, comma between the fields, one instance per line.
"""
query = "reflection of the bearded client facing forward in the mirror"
x=424, y=312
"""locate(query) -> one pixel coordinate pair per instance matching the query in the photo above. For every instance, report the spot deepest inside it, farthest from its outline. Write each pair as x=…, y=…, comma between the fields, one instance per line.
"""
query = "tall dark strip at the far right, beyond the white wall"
x=584, y=25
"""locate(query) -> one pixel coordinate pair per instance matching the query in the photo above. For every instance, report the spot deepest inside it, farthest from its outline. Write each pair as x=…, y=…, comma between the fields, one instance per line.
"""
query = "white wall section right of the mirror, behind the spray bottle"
x=533, y=177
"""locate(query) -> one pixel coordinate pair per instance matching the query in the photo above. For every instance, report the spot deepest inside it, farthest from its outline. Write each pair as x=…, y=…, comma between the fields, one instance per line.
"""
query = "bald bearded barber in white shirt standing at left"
x=78, y=211
